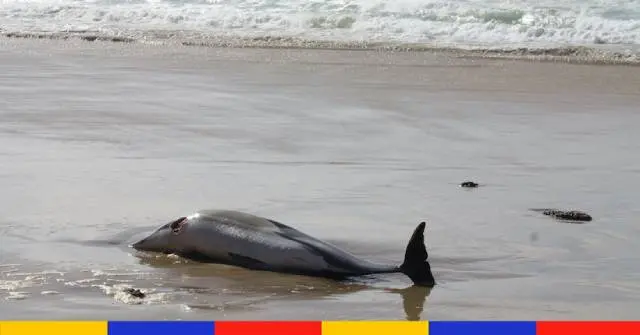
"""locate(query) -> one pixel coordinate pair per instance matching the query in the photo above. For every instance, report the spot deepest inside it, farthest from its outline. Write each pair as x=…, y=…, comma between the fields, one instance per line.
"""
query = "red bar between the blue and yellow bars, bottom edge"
x=268, y=328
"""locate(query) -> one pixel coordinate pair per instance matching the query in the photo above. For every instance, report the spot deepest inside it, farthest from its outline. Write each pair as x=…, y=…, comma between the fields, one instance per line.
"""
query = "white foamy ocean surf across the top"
x=461, y=23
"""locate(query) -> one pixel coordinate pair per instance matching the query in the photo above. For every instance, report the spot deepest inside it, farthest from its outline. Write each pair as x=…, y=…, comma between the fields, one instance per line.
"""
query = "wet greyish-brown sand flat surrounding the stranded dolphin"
x=102, y=143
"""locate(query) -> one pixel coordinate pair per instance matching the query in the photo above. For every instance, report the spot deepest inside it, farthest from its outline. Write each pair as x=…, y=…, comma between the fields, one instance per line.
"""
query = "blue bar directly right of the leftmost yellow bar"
x=161, y=327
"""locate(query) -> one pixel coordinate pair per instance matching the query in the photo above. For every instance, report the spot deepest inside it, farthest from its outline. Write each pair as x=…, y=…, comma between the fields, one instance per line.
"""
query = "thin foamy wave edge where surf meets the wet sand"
x=580, y=55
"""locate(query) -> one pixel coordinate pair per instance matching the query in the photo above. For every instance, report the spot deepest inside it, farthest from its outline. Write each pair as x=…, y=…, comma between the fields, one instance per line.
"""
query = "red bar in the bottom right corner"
x=588, y=328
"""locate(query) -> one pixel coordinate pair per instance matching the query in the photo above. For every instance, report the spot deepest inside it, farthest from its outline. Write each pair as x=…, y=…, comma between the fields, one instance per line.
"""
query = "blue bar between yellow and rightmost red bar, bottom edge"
x=482, y=328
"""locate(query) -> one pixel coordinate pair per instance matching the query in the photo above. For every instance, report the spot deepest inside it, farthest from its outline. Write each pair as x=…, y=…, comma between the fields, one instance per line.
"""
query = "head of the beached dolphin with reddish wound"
x=166, y=239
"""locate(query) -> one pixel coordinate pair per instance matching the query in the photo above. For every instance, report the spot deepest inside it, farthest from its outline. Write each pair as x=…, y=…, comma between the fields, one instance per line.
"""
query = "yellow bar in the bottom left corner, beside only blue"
x=53, y=328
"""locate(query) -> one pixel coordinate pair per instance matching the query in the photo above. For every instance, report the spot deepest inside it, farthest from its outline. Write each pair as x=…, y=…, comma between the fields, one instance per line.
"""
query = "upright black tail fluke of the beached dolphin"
x=415, y=265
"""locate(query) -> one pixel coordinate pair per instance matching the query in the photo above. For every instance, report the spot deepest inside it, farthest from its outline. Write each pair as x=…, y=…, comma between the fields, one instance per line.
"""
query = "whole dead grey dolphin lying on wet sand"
x=252, y=242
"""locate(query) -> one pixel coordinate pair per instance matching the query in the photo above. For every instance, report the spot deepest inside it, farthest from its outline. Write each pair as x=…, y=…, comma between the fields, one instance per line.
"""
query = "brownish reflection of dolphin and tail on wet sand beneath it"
x=256, y=287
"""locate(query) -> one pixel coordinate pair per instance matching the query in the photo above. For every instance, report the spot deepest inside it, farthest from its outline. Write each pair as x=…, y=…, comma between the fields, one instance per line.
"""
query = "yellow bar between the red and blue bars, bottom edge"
x=374, y=327
